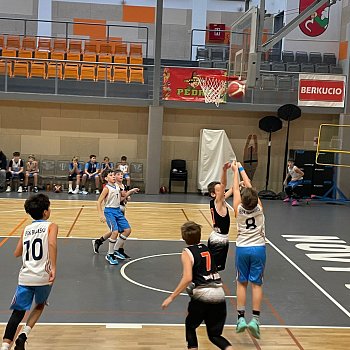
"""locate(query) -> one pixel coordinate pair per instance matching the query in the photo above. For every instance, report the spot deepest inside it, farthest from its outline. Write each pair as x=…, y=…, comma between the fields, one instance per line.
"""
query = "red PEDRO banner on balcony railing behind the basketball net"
x=183, y=84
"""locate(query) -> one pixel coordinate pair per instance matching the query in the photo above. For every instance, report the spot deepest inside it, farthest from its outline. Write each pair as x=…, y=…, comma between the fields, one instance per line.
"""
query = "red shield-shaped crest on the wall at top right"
x=317, y=23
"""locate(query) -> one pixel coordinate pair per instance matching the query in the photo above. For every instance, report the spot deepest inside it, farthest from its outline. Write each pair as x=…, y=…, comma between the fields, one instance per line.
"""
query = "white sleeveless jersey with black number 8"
x=250, y=227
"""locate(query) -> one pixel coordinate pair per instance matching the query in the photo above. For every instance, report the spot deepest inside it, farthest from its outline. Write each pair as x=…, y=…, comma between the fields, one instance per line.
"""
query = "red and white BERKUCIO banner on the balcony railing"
x=321, y=90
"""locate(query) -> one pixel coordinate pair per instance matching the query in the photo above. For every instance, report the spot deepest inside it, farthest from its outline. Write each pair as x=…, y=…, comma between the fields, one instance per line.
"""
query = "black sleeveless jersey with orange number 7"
x=204, y=270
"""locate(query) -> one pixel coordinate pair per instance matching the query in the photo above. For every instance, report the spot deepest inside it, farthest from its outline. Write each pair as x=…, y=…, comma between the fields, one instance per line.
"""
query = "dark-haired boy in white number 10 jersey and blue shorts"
x=38, y=248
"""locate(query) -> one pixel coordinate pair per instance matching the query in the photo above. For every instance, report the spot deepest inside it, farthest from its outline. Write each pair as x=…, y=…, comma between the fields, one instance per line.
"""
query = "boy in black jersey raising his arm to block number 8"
x=218, y=242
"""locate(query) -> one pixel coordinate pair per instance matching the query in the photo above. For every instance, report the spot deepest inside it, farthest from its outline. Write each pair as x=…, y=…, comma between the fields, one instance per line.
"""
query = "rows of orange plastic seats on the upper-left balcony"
x=83, y=52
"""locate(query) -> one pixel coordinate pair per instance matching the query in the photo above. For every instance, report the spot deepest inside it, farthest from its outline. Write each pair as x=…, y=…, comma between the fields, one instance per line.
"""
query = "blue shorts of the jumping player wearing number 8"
x=250, y=264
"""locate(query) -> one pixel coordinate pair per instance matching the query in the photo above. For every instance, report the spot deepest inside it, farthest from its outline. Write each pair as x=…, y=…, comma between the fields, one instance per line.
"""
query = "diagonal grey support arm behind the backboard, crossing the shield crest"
x=294, y=23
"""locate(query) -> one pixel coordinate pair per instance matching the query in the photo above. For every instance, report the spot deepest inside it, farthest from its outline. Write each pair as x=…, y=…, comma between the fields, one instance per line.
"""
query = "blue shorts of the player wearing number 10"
x=25, y=295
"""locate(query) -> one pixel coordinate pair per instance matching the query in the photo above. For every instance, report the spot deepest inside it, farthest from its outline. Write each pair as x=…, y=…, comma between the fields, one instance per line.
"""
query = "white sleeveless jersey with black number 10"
x=36, y=264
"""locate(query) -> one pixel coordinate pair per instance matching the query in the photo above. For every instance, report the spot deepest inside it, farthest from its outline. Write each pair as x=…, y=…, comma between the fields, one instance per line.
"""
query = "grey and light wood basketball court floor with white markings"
x=306, y=303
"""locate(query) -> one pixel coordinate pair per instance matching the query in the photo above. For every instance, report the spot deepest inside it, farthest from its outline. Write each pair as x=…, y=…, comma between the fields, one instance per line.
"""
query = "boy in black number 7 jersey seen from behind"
x=207, y=295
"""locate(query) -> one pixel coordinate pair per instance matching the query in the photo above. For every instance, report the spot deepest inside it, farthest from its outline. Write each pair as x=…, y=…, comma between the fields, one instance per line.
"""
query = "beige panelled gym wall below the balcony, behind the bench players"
x=59, y=131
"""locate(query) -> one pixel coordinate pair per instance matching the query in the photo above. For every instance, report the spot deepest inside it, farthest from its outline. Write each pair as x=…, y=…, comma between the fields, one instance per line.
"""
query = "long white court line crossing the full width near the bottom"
x=136, y=325
